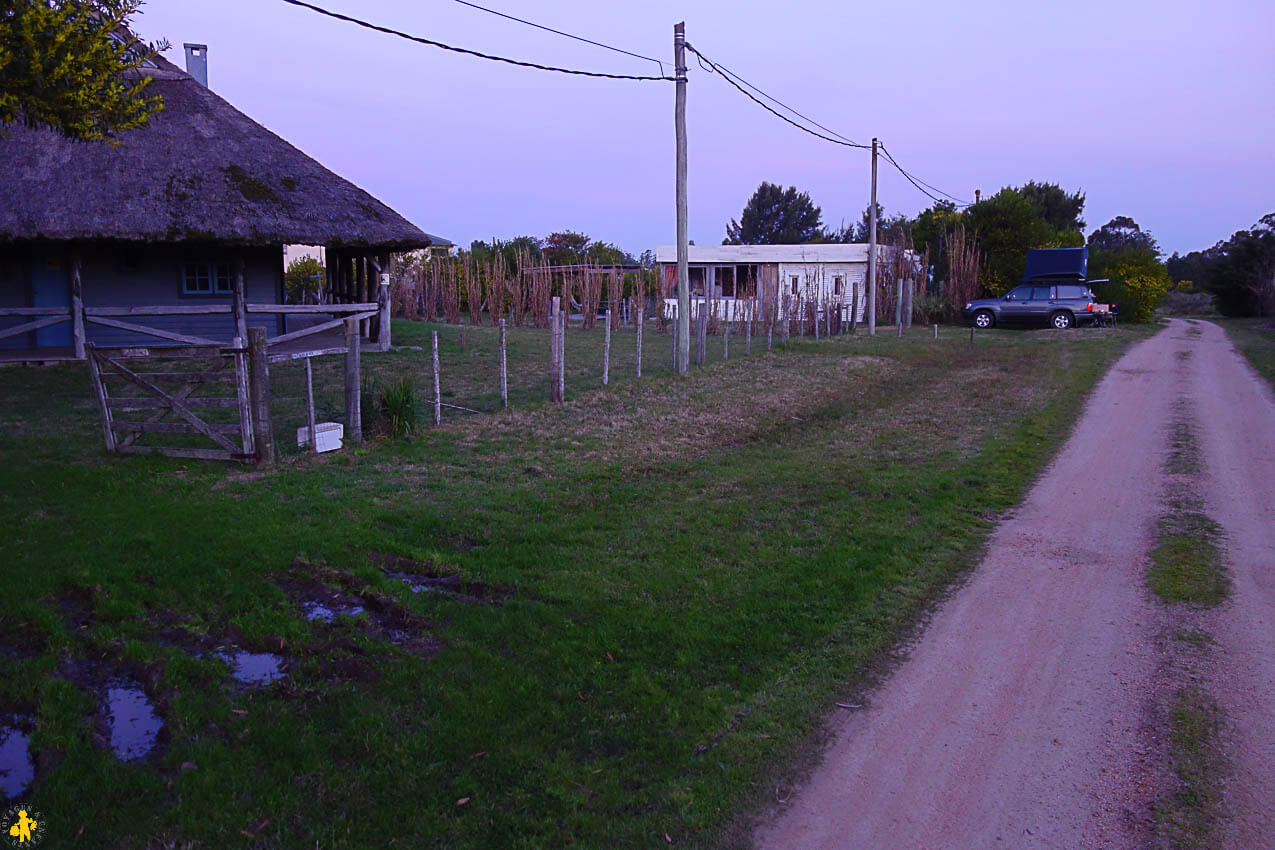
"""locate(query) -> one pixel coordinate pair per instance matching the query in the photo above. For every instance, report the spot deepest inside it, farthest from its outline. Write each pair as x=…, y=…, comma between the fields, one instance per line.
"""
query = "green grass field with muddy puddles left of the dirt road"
x=642, y=602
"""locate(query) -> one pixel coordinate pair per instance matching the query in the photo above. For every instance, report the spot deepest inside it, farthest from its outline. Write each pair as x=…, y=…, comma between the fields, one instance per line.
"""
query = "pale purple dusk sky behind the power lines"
x=1157, y=110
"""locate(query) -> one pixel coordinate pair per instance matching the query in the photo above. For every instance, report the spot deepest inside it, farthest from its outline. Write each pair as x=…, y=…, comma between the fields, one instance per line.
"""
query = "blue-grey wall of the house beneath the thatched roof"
x=122, y=276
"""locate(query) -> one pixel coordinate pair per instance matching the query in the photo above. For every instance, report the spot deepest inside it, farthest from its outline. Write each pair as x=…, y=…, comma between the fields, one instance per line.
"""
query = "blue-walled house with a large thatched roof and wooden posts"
x=192, y=211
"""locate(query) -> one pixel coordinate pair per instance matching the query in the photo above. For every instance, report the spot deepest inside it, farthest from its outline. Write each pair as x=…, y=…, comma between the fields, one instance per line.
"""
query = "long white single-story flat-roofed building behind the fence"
x=783, y=277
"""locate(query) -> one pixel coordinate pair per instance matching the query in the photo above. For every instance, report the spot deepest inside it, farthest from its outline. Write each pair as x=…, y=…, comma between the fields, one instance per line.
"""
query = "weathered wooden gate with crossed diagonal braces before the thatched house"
x=169, y=387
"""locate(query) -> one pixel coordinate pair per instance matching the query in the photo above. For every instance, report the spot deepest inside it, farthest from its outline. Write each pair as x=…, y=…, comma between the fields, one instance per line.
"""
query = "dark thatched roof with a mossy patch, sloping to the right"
x=202, y=171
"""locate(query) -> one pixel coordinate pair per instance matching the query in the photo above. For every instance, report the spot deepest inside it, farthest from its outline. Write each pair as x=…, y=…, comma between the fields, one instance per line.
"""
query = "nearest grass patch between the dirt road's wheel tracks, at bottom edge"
x=1189, y=818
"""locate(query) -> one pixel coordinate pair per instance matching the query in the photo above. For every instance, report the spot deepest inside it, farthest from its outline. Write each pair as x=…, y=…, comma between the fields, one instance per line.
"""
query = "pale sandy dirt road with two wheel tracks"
x=1021, y=717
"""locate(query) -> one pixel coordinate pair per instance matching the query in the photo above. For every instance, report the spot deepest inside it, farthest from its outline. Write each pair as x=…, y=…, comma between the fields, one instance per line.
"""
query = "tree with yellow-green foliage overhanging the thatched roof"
x=73, y=66
